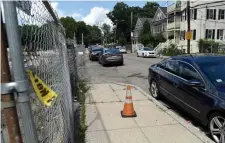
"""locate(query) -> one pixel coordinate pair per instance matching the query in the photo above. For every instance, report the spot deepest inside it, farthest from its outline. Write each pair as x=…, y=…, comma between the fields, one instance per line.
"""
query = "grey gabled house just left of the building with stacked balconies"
x=159, y=22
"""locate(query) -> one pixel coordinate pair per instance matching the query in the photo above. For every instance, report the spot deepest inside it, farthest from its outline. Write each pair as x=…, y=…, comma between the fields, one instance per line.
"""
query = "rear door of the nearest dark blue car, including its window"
x=169, y=80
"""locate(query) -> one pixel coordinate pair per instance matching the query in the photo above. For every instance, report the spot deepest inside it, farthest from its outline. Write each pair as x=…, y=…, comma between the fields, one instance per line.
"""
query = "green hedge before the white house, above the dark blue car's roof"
x=208, y=46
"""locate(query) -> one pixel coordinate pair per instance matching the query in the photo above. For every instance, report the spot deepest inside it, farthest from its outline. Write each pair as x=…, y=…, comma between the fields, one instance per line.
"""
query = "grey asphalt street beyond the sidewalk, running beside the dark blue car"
x=135, y=72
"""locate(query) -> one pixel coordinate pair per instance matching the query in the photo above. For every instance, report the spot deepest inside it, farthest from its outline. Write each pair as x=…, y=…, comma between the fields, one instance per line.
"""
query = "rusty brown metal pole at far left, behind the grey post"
x=7, y=100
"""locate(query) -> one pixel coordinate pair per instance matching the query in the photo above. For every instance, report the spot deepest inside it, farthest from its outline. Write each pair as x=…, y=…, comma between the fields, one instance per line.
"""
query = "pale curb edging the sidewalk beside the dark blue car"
x=163, y=108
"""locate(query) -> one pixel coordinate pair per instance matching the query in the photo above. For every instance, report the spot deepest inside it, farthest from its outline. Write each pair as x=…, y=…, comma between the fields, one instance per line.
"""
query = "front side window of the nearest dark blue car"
x=188, y=72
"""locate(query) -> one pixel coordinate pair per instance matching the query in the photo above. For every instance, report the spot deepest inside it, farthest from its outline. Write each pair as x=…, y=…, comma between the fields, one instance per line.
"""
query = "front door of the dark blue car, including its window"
x=195, y=98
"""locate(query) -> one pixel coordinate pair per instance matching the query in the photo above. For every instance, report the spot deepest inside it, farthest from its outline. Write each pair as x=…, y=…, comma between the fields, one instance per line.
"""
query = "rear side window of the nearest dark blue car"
x=171, y=66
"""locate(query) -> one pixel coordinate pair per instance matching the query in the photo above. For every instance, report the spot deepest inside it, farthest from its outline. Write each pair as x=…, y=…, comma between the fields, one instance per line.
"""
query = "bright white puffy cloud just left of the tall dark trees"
x=97, y=16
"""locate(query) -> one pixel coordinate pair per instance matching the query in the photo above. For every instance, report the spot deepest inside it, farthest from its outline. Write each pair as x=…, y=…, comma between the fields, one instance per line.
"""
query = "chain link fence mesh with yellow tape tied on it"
x=53, y=61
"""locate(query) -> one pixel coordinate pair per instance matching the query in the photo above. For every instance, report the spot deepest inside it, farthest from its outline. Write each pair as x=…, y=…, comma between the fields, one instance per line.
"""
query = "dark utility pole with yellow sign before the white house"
x=188, y=26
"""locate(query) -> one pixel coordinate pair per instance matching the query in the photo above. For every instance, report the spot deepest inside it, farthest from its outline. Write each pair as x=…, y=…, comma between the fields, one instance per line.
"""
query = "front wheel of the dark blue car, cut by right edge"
x=217, y=127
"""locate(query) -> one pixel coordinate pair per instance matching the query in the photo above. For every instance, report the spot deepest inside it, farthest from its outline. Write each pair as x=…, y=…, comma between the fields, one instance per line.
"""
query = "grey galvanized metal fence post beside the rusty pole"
x=19, y=73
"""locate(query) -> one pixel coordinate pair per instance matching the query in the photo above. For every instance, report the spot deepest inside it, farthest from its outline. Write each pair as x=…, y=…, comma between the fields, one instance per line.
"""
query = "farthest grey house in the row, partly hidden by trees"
x=138, y=28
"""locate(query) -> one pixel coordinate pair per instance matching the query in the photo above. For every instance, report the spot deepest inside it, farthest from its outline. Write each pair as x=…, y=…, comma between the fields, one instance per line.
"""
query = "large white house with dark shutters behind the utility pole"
x=207, y=21
